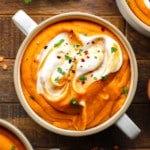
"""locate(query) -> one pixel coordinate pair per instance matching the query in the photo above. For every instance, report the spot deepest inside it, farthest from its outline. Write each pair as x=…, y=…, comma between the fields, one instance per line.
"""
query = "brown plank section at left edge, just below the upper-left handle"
x=10, y=38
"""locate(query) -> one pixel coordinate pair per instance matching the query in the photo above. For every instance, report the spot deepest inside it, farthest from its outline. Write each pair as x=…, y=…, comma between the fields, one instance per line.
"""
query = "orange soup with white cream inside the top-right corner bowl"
x=141, y=8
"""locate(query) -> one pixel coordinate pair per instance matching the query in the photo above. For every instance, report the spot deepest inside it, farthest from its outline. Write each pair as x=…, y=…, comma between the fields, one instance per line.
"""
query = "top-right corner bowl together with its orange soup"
x=137, y=14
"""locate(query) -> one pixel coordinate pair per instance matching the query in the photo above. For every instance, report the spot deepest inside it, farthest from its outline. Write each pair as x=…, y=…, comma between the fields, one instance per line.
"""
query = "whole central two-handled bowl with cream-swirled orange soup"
x=75, y=74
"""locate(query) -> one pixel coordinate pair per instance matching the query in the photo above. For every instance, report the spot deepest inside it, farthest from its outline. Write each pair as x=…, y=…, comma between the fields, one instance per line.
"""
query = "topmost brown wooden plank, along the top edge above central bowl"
x=100, y=7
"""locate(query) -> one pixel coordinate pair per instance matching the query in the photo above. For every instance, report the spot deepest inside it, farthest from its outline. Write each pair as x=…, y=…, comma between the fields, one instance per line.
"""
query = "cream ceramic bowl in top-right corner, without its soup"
x=130, y=17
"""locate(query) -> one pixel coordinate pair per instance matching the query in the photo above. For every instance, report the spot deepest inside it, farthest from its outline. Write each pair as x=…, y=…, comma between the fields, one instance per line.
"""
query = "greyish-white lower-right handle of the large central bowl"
x=128, y=126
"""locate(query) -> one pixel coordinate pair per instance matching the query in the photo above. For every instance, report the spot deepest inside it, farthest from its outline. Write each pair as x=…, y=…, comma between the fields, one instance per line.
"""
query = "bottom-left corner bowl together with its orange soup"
x=12, y=138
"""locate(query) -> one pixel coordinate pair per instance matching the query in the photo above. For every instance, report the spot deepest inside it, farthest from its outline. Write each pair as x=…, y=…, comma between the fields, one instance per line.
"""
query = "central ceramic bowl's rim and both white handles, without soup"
x=30, y=28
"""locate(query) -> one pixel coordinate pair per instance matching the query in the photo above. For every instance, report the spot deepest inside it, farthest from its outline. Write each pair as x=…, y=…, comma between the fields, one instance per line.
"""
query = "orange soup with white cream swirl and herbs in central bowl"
x=75, y=74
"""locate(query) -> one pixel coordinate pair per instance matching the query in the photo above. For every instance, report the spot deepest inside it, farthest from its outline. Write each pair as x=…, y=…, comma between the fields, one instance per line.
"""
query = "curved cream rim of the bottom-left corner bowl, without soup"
x=17, y=132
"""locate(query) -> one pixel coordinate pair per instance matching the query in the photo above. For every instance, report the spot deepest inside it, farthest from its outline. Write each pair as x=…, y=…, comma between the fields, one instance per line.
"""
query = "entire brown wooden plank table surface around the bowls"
x=10, y=108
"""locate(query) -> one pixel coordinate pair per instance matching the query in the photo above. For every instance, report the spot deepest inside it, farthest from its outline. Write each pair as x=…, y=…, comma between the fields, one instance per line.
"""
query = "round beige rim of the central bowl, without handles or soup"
x=64, y=17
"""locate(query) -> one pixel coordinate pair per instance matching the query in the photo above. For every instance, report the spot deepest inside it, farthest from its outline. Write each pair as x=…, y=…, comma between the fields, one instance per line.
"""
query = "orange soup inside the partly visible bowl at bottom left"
x=8, y=141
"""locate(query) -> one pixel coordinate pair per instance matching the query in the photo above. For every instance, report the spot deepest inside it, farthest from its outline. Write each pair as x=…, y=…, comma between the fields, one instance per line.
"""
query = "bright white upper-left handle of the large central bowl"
x=24, y=22
